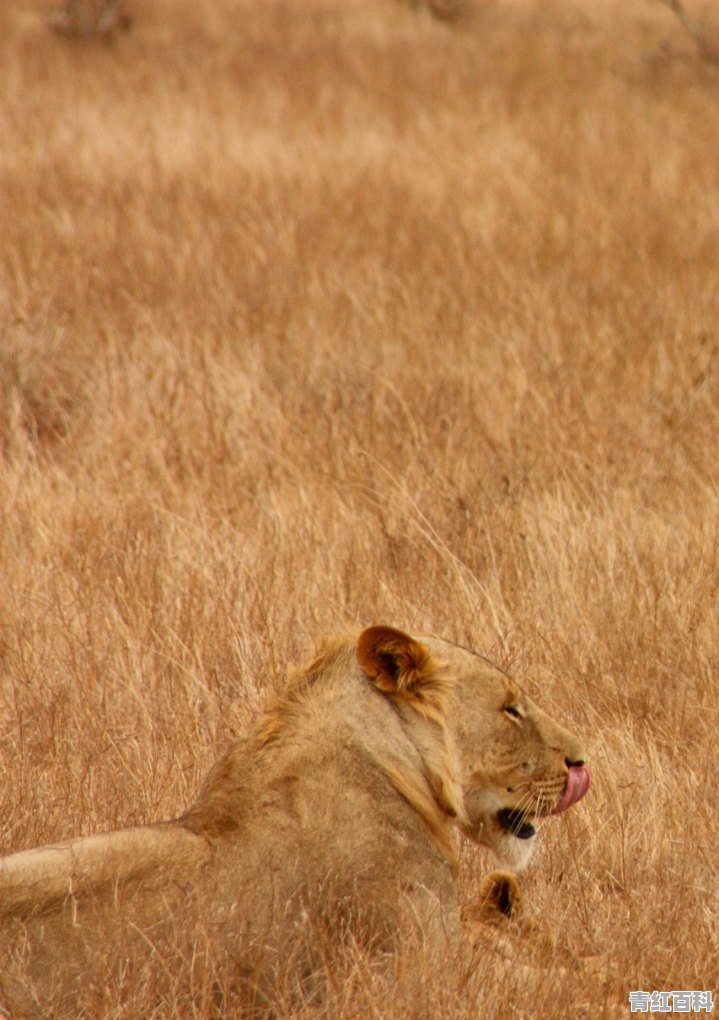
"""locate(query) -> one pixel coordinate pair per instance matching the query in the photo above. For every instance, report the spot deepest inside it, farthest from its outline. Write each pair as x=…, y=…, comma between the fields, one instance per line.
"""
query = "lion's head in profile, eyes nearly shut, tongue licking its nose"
x=516, y=764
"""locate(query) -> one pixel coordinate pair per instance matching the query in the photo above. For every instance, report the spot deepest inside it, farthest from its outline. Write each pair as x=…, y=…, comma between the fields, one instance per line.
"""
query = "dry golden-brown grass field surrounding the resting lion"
x=328, y=312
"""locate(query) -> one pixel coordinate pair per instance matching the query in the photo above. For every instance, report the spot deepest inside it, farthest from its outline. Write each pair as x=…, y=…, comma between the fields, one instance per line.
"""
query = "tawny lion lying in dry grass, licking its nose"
x=331, y=825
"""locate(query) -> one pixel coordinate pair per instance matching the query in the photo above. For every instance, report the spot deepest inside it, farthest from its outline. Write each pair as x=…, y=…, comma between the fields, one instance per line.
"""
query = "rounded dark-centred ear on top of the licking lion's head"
x=395, y=661
